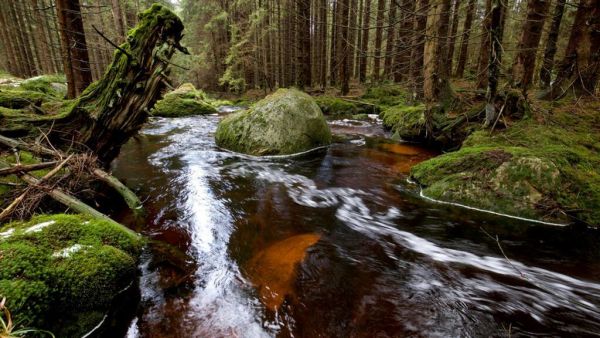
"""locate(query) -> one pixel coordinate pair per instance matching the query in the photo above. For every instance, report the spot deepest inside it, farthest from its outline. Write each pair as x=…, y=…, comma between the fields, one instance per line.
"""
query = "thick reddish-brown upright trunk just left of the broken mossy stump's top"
x=76, y=61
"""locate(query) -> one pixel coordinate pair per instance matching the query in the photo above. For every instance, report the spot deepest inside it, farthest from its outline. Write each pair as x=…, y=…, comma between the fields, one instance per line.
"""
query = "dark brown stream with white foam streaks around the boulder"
x=337, y=243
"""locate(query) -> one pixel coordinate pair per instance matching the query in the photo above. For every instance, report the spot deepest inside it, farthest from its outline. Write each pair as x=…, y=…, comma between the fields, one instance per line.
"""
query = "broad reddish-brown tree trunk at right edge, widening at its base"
x=580, y=69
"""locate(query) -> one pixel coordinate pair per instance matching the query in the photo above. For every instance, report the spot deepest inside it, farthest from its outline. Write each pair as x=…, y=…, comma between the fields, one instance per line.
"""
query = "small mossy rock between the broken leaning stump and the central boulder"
x=183, y=101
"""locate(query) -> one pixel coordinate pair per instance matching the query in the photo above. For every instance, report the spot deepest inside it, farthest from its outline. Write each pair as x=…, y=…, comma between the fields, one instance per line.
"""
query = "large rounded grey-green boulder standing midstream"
x=285, y=122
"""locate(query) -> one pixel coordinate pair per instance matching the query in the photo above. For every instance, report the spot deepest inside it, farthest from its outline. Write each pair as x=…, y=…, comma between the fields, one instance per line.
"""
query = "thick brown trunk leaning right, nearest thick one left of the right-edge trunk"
x=524, y=65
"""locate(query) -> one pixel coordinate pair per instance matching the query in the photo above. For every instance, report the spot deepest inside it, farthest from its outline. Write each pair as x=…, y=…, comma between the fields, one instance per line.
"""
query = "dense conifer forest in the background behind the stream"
x=240, y=45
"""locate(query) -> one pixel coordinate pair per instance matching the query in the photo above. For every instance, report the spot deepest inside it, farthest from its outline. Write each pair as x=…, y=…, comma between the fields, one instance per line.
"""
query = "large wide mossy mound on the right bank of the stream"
x=545, y=171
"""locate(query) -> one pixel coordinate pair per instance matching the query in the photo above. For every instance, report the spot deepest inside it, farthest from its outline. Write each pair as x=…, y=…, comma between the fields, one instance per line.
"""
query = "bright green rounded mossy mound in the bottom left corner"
x=61, y=272
